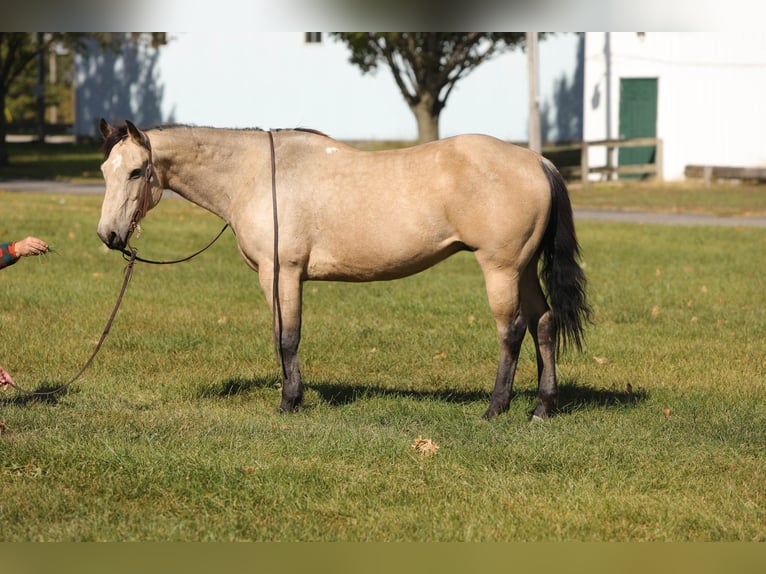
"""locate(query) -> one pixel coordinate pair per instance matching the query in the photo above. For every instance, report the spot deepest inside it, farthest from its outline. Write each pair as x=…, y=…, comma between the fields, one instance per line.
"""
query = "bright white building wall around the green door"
x=710, y=93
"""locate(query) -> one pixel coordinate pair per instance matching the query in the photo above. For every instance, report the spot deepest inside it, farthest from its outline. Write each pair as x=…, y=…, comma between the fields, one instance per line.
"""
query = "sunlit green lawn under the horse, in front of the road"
x=172, y=435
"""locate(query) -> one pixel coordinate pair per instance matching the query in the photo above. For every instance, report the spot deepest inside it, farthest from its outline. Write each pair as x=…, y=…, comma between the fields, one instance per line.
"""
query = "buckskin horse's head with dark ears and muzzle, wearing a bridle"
x=132, y=186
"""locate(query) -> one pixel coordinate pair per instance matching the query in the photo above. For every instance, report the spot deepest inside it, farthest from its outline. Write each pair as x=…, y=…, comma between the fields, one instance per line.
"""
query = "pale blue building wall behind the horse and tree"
x=273, y=80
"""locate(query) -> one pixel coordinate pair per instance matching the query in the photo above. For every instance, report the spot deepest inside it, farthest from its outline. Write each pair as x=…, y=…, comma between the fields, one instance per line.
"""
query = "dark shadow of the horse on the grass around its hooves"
x=573, y=394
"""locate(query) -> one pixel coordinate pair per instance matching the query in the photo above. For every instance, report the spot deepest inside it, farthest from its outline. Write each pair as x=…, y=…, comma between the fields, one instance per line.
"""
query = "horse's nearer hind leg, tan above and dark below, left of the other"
x=502, y=291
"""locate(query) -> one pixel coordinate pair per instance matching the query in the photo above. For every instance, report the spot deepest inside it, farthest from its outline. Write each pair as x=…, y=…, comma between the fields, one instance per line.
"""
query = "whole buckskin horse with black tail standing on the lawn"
x=304, y=206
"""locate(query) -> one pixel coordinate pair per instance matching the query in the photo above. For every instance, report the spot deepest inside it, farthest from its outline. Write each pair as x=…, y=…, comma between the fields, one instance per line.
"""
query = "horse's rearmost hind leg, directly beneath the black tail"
x=539, y=319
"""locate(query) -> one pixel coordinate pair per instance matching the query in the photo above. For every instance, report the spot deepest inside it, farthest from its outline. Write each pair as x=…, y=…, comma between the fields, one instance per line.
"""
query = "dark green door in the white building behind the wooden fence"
x=638, y=119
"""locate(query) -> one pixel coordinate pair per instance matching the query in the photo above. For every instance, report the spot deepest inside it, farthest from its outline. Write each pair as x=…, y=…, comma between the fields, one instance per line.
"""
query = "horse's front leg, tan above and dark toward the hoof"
x=285, y=303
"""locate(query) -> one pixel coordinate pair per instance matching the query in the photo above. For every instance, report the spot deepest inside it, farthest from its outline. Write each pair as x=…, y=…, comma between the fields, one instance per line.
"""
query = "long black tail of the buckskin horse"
x=562, y=275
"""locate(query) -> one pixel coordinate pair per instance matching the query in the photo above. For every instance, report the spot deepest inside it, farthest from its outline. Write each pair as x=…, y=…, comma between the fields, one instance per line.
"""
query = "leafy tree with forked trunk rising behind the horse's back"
x=427, y=65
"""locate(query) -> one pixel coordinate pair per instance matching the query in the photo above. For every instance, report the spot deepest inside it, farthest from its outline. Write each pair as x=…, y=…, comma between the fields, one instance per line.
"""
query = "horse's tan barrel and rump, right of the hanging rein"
x=379, y=215
